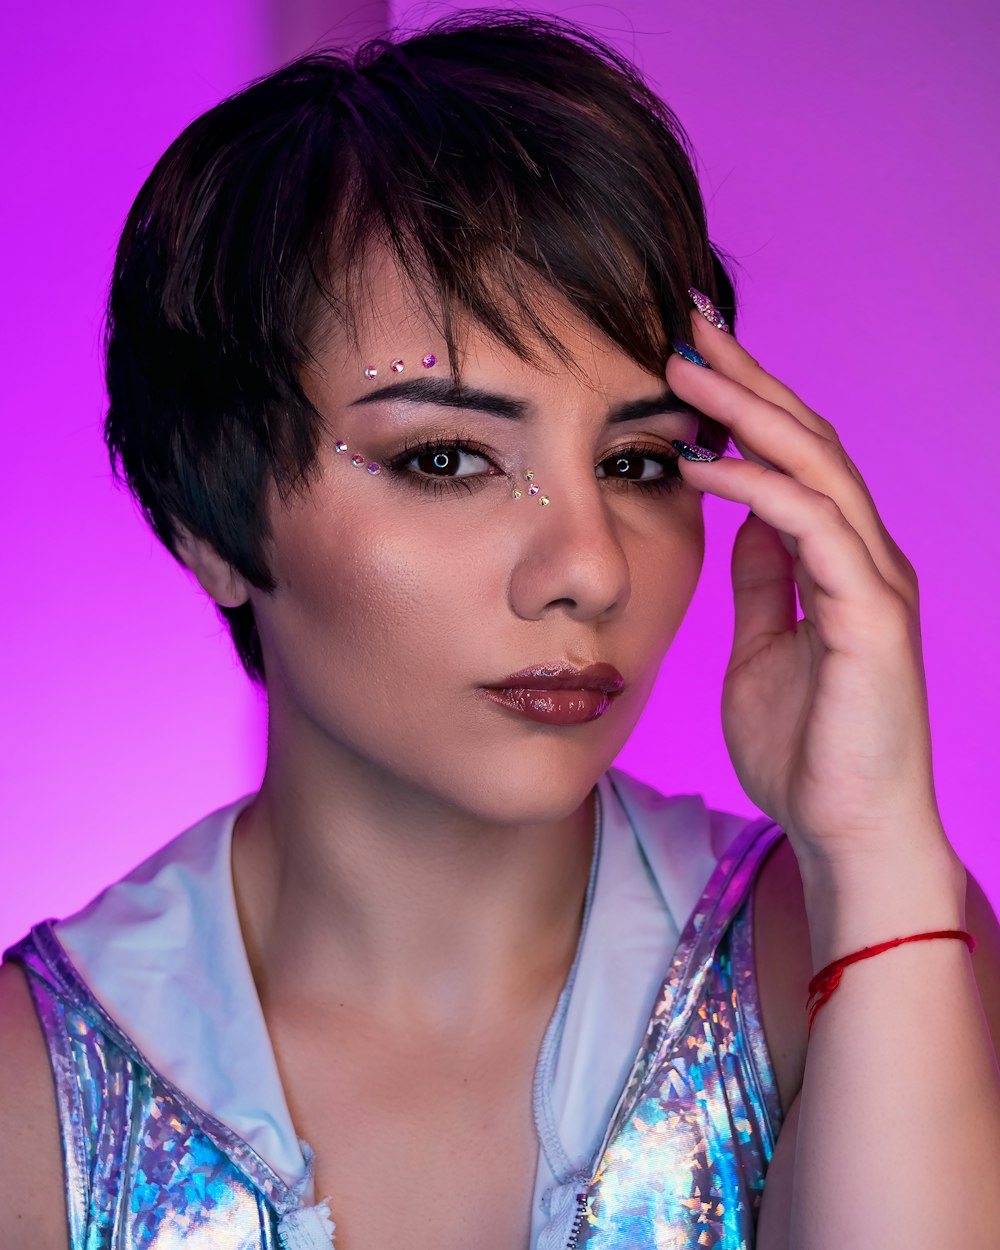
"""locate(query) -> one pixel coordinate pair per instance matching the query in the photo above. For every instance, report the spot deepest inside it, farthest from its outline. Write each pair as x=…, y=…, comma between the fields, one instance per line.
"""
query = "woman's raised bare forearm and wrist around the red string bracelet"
x=899, y=1126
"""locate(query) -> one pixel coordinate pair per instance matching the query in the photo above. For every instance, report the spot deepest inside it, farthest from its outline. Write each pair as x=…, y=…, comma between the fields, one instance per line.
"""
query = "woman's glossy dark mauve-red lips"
x=558, y=694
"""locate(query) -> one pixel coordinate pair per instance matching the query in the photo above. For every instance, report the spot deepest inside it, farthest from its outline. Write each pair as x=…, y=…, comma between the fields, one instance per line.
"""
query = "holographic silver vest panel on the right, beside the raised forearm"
x=686, y=1157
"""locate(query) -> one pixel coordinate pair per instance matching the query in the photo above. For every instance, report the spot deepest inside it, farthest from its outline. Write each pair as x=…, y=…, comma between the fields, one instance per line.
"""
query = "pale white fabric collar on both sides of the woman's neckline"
x=163, y=953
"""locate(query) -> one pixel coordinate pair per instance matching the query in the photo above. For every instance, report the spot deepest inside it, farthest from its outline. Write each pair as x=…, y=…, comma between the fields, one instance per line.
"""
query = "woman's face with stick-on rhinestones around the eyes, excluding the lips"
x=402, y=596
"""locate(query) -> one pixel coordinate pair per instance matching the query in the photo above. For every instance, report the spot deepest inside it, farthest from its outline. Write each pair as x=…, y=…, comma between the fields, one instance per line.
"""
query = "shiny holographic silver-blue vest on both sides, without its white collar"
x=682, y=1166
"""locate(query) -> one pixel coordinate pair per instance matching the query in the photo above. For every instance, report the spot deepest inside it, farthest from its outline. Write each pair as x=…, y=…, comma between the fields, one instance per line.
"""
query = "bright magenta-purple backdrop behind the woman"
x=849, y=161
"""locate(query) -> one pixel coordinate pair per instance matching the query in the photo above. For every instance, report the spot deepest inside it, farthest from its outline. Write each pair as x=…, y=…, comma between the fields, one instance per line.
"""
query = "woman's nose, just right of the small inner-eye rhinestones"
x=571, y=556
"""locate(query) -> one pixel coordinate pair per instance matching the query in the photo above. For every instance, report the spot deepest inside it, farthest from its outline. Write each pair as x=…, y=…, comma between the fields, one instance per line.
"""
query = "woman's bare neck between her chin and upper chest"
x=358, y=888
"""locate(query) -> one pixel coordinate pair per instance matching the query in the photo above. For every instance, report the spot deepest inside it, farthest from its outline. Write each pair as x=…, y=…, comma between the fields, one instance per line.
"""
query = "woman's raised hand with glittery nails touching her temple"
x=826, y=717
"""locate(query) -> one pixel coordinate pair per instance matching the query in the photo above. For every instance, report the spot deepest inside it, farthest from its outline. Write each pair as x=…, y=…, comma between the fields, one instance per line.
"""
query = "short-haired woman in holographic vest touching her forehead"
x=407, y=363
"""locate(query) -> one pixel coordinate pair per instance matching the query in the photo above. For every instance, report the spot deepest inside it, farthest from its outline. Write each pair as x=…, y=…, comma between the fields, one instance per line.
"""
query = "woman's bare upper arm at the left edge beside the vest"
x=33, y=1206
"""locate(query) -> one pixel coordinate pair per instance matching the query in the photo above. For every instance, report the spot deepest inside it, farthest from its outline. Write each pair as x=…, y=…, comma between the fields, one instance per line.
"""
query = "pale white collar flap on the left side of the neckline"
x=163, y=953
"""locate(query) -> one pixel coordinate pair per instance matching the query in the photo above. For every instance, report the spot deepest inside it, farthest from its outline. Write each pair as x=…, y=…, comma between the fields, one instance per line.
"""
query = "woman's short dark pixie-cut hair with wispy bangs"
x=489, y=153
